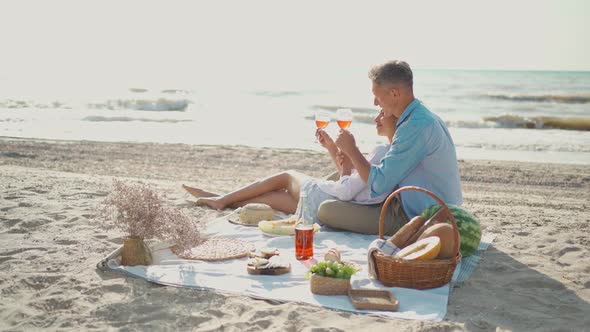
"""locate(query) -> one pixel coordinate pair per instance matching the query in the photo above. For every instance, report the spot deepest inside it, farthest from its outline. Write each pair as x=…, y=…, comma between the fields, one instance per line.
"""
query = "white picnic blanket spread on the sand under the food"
x=231, y=275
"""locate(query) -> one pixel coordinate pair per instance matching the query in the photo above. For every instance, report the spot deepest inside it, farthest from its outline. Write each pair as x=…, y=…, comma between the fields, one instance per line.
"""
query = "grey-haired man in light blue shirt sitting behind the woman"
x=422, y=154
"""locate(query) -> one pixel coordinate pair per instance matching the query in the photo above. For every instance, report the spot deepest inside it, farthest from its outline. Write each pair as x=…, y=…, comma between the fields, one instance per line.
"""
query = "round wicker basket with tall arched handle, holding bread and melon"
x=418, y=274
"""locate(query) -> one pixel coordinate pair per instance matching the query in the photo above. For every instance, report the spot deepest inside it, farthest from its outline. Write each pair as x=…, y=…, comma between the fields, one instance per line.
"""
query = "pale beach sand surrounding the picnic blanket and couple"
x=535, y=276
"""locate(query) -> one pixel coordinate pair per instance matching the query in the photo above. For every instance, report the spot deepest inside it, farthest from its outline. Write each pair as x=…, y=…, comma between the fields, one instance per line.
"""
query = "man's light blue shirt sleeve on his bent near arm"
x=407, y=151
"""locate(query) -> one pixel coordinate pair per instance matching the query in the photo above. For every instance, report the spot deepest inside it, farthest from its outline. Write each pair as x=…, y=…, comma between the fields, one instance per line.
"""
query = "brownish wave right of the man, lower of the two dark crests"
x=540, y=122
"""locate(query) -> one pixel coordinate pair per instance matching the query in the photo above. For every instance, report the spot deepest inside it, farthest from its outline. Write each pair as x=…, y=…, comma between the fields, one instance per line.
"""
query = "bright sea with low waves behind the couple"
x=538, y=116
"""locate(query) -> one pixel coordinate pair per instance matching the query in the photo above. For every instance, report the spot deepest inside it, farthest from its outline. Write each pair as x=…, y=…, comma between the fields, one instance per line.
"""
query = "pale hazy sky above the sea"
x=171, y=40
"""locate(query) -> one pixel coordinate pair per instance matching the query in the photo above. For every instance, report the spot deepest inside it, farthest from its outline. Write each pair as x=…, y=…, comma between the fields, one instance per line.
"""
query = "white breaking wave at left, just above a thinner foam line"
x=158, y=104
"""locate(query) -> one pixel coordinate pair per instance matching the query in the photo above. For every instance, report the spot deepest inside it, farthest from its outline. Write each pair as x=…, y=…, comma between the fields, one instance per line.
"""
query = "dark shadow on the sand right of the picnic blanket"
x=516, y=297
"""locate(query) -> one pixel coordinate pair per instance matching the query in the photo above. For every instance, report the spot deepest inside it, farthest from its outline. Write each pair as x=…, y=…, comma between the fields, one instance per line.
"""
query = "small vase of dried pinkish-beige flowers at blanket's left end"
x=141, y=213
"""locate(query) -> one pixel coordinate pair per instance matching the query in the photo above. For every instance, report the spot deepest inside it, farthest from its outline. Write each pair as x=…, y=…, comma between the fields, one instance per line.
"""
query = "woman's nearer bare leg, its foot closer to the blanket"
x=289, y=181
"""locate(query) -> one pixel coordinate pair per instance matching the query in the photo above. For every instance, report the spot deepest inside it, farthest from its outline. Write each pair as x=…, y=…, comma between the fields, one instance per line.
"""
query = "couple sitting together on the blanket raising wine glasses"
x=420, y=153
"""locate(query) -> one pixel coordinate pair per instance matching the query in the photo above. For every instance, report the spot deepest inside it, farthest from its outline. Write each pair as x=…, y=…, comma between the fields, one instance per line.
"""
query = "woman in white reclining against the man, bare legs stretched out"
x=282, y=191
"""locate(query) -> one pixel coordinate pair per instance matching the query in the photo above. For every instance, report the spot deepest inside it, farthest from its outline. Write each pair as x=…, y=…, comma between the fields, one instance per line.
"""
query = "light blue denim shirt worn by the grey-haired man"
x=422, y=154
